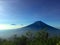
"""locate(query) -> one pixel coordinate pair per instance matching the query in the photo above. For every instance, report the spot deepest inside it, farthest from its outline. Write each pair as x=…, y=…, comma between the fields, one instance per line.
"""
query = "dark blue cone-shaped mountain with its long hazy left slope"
x=34, y=27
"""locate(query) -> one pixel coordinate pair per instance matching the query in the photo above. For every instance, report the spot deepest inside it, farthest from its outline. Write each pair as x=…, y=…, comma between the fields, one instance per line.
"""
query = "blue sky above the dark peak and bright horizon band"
x=28, y=11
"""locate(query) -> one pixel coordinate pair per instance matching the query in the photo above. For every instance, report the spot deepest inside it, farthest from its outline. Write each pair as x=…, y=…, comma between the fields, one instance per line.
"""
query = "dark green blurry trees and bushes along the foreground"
x=39, y=38
